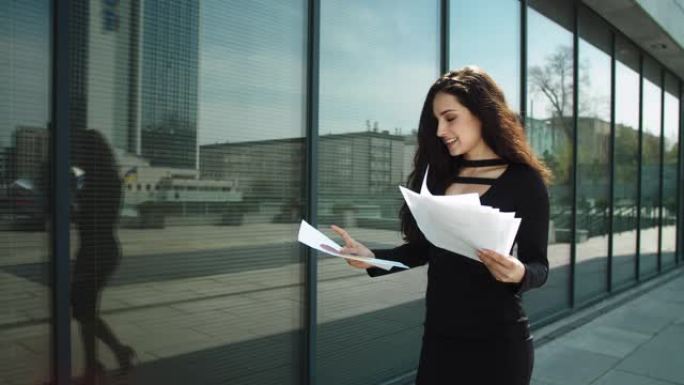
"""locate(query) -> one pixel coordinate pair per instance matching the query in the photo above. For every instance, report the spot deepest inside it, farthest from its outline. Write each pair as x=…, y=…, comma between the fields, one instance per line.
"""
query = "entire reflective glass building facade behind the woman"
x=157, y=157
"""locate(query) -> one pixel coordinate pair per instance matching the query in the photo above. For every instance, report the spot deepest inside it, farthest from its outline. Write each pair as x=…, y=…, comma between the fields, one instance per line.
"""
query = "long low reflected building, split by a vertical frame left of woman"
x=357, y=165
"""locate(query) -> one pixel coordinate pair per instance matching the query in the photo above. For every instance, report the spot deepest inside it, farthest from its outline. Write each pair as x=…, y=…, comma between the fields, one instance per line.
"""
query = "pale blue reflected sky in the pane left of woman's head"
x=378, y=59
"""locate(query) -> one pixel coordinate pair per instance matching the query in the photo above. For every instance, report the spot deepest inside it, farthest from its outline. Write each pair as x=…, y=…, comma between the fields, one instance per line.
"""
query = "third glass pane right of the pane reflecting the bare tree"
x=650, y=170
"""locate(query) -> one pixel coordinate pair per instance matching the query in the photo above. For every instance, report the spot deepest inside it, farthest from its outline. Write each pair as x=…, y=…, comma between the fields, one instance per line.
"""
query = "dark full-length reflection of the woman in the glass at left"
x=96, y=214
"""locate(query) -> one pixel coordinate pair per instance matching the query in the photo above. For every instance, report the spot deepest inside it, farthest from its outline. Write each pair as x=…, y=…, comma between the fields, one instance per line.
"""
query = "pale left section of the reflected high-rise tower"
x=106, y=99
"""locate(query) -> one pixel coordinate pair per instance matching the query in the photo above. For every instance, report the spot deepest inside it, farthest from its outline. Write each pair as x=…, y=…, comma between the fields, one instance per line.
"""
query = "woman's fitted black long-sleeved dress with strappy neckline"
x=475, y=329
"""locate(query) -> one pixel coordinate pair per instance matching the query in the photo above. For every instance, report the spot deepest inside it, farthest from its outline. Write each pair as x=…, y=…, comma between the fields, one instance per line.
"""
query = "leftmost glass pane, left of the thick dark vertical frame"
x=25, y=87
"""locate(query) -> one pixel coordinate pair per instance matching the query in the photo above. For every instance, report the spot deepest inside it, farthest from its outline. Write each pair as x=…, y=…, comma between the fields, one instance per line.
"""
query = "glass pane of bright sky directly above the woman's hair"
x=475, y=25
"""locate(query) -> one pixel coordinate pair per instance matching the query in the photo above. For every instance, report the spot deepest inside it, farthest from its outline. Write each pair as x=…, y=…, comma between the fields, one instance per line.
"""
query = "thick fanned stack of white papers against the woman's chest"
x=459, y=223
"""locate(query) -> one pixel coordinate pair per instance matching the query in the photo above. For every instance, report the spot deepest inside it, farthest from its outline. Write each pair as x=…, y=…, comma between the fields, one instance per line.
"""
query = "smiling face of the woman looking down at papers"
x=459, y=130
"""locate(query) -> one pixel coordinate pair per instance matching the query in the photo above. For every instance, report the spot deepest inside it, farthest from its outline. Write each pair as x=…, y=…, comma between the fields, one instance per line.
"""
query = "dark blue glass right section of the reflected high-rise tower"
x=169, y=48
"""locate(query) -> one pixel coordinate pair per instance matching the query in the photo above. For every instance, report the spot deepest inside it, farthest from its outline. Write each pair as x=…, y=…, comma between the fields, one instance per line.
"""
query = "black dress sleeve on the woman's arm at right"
x=533, y=234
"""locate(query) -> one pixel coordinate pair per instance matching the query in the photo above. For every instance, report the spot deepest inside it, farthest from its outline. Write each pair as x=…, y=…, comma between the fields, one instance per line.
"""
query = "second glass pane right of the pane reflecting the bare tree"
x=626, y=168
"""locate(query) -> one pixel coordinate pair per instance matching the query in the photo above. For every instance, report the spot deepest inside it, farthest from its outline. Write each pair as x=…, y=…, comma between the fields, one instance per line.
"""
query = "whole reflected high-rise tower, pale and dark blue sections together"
x=143, y=96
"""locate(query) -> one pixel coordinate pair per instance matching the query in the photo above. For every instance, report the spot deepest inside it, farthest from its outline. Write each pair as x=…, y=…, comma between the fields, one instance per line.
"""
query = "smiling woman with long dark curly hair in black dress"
x=476, y=331
